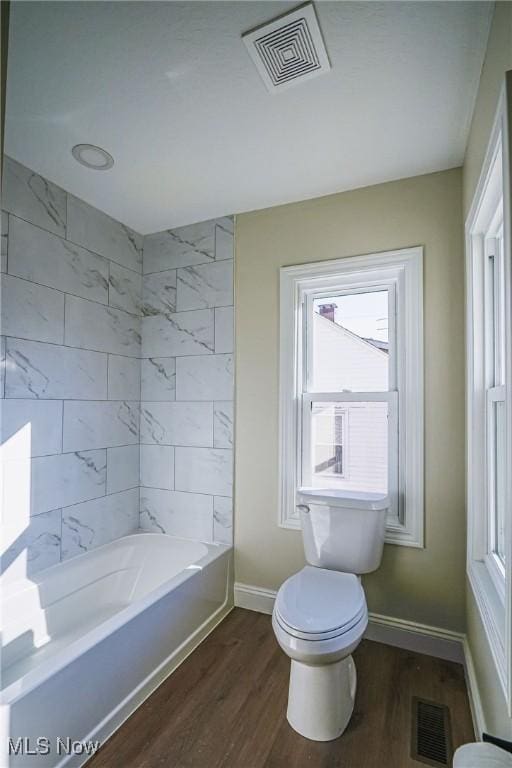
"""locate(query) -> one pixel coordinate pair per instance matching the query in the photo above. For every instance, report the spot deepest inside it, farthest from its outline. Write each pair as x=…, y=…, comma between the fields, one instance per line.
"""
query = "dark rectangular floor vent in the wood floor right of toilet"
x=431, y=733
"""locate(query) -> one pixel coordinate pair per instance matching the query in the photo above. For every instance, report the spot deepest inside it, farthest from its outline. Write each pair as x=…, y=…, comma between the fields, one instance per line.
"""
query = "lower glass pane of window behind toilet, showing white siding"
x=349, y=446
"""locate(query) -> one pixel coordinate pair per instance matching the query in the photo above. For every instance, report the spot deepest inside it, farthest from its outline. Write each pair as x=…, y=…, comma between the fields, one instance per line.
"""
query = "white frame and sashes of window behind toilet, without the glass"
x=403, y=271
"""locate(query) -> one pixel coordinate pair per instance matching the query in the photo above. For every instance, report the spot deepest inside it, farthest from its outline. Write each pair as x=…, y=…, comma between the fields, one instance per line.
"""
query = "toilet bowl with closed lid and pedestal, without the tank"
x=319, y=618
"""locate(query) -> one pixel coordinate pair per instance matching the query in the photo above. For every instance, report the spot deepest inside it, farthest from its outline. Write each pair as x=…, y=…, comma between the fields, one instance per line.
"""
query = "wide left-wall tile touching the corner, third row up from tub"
x=90, y=424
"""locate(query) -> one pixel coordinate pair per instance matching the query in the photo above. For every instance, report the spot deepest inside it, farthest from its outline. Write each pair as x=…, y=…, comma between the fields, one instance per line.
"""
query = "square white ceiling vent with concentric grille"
x=288, y=50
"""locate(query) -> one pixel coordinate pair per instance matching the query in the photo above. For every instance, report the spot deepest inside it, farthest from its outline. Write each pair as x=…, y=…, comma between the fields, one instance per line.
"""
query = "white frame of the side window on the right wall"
x=490, y=583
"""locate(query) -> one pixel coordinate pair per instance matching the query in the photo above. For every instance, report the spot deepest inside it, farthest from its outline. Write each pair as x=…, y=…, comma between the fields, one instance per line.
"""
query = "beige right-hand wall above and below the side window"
x=497, y=61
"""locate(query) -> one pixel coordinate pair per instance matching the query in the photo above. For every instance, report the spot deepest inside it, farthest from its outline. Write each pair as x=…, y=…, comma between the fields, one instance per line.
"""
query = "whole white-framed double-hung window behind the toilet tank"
x=351, y=384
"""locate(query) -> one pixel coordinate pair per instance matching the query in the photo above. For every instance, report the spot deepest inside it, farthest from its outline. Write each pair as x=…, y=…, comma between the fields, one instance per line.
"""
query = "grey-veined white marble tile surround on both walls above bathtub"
x=116, y=377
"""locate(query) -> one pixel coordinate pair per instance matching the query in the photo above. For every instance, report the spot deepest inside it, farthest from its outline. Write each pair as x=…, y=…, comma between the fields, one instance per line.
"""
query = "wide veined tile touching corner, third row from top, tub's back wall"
x=182, y=333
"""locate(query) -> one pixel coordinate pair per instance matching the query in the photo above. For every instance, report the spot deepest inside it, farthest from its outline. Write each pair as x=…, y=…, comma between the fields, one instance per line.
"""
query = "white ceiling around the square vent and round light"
x=169, y=90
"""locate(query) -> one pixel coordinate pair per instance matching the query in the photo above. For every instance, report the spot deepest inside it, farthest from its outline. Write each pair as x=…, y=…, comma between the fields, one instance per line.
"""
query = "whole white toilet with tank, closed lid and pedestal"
x=320, y=613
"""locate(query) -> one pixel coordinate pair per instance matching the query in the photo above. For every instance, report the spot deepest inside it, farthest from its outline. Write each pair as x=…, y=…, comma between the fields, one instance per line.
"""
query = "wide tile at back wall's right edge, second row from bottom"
x=204, y=470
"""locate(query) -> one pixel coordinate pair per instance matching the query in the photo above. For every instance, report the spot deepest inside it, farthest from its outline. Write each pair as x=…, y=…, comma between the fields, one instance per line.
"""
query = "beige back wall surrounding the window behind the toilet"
x=421, y=585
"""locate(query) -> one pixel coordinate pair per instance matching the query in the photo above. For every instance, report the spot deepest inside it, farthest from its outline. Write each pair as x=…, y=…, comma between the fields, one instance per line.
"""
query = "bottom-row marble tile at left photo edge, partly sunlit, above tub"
x=34, y=547
